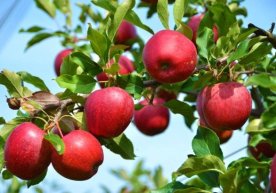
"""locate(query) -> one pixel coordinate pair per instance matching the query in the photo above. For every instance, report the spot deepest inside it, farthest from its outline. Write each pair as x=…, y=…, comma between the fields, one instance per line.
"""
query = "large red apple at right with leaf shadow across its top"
x=225, y=105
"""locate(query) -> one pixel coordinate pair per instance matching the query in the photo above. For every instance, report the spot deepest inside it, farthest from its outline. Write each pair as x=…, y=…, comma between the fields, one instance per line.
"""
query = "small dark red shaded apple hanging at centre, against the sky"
x=152, y=119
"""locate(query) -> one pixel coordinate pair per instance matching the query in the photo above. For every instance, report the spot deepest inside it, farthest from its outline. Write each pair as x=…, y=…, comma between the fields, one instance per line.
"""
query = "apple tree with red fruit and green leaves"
x=217, y=73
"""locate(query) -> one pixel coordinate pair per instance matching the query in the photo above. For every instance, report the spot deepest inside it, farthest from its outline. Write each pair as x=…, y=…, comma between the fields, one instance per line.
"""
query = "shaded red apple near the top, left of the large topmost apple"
x=126, y=32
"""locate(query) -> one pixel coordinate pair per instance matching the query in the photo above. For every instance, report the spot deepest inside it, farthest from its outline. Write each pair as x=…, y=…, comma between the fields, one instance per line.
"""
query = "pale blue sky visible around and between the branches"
x=169, y=149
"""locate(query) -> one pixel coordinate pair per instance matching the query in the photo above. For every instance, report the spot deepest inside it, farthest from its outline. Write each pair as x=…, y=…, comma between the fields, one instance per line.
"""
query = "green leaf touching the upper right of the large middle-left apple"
x=132, y=83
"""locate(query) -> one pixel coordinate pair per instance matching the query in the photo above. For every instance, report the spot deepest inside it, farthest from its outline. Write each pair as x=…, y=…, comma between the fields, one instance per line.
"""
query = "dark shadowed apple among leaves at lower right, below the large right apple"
x=262, y=148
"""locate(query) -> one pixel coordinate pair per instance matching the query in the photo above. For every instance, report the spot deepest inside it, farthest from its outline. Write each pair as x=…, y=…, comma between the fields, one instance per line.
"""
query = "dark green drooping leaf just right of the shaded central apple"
x=179, y=107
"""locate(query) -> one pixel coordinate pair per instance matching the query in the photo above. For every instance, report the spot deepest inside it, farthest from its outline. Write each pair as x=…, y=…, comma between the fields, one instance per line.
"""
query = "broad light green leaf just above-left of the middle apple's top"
x=77, y=83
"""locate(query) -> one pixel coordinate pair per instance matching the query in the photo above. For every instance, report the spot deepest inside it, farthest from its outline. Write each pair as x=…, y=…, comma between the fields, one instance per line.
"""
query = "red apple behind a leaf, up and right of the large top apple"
x=194, y=25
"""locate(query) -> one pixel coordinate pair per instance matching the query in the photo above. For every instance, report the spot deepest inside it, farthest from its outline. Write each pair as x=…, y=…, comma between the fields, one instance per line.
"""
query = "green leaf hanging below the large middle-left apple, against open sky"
x=120, y=145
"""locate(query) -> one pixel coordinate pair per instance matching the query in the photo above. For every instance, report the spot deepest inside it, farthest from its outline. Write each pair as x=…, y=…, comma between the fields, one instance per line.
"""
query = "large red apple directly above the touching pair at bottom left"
x=108, y=111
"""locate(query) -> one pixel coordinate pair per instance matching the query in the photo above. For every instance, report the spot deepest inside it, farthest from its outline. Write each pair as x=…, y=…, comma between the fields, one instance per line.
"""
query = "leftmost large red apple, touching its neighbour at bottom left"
x=27, y=155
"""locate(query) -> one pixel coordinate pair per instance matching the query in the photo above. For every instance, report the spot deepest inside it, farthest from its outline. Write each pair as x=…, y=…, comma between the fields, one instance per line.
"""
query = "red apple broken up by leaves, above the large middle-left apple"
x=126, y=67
